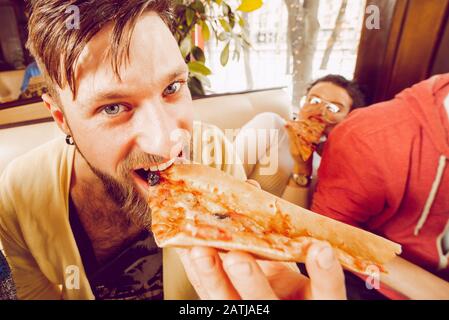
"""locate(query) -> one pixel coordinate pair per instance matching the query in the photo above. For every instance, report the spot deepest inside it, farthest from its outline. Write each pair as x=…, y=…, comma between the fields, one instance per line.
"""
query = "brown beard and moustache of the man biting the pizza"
x=123, y=191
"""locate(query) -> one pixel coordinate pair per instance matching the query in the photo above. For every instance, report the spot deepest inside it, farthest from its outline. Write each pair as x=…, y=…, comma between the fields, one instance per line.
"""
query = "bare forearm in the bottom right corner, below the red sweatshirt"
x=414, y=282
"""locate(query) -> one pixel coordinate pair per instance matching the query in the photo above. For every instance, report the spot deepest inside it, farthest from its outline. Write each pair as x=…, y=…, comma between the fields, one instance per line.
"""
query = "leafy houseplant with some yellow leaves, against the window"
x=219, y=19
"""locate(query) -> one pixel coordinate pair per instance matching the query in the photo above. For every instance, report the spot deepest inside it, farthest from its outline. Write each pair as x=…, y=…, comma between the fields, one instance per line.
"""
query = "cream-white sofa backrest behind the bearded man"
x=225, y=111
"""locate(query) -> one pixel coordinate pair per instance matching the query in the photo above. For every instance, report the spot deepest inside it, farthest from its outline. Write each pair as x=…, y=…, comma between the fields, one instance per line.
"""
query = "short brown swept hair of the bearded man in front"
x=57, y=48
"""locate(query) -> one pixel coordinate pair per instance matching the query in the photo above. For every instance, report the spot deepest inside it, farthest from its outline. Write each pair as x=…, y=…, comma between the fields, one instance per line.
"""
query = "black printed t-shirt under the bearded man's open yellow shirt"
x=134, y=274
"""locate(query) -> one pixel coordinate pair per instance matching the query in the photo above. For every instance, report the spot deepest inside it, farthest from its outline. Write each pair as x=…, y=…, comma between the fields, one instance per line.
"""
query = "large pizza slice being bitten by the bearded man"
x=195, y=205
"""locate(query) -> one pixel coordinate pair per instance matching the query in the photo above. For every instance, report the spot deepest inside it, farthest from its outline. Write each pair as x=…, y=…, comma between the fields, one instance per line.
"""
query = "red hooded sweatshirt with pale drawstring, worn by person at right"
x=385, y=169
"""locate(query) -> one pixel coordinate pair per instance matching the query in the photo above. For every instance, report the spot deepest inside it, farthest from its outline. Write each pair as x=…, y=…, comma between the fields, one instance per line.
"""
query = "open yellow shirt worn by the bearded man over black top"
x=35, y=229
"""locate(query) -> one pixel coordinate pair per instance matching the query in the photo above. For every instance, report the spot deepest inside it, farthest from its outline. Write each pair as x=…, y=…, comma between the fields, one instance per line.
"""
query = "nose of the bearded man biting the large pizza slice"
x=154, y=127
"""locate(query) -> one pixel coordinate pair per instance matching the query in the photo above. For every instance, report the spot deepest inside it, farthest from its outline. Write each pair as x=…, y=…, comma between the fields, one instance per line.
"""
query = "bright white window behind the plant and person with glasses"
x=269, y=62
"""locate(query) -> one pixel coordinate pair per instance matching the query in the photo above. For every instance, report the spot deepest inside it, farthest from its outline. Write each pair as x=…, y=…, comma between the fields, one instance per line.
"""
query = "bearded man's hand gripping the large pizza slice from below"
x=238, y=275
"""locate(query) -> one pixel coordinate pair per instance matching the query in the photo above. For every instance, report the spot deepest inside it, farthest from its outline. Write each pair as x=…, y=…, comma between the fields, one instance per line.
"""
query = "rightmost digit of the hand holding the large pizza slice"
x=327, y=281
